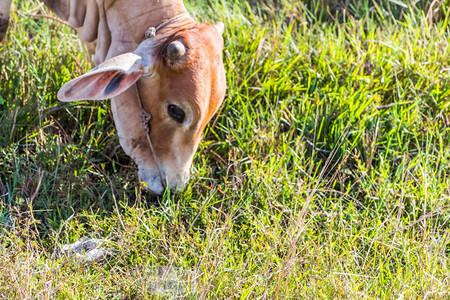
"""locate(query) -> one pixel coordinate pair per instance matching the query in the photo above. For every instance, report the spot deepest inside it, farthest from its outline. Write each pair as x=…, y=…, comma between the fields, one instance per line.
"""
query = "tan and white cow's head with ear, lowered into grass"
x=181, y=82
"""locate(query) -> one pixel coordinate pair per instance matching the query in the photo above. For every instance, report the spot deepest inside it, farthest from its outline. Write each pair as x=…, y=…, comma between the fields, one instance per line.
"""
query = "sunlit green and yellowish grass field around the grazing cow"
x=325, y=174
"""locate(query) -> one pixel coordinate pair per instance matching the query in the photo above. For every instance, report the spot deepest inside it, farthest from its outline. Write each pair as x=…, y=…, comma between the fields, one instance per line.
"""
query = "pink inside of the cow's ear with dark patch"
x=98, y=86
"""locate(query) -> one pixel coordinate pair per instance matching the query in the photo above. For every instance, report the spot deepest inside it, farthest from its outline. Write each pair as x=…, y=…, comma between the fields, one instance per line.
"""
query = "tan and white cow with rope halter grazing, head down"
x=162, y=70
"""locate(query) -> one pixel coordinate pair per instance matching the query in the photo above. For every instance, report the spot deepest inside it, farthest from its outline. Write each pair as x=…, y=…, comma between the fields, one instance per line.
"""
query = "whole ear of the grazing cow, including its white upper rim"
x=107, y=80
